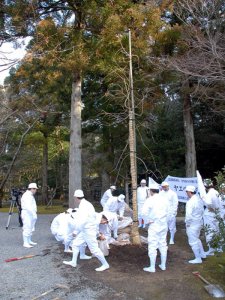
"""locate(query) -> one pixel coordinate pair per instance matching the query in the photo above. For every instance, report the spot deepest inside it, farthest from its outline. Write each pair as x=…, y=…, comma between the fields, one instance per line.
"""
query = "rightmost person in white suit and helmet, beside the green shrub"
x=212, y=203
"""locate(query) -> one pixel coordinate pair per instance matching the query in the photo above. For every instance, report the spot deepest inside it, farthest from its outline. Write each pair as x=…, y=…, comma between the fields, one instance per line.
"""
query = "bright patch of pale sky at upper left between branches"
x=7, y=52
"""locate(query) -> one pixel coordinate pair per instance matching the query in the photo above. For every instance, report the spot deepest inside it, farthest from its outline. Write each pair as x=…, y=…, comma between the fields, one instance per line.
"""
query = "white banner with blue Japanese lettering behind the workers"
x=178, y=185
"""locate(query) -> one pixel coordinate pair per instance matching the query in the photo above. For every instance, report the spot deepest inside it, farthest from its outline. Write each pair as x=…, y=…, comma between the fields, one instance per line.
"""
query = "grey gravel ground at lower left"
x=29, y=278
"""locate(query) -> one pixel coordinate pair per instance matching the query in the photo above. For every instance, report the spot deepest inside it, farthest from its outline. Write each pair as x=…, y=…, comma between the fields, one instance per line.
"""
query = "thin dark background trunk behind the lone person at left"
x=45, y=171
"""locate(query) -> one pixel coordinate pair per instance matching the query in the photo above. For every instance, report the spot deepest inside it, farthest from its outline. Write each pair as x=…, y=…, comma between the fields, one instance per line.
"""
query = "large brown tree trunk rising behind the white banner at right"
x=190, y=153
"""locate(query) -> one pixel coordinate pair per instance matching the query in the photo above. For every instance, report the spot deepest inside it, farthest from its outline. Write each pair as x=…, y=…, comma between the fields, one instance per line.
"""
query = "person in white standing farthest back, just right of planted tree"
x=142, y=195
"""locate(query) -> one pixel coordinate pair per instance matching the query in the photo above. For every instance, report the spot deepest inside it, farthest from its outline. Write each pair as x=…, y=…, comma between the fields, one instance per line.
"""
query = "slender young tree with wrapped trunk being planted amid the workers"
x=133, y=155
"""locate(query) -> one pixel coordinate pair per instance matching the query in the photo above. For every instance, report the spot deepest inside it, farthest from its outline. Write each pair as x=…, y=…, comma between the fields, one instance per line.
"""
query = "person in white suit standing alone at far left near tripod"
x=29, y=214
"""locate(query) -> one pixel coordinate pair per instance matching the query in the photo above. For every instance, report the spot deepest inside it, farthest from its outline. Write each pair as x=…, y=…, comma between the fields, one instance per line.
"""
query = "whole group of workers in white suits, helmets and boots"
x=157, y=208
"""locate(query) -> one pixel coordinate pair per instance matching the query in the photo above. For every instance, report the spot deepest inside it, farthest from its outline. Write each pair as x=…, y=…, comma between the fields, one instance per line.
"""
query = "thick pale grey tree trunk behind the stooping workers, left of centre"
x=75, y=181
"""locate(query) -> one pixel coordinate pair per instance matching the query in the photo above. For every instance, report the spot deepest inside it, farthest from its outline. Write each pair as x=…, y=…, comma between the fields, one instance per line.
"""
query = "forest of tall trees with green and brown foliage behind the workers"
x=65, y=106
